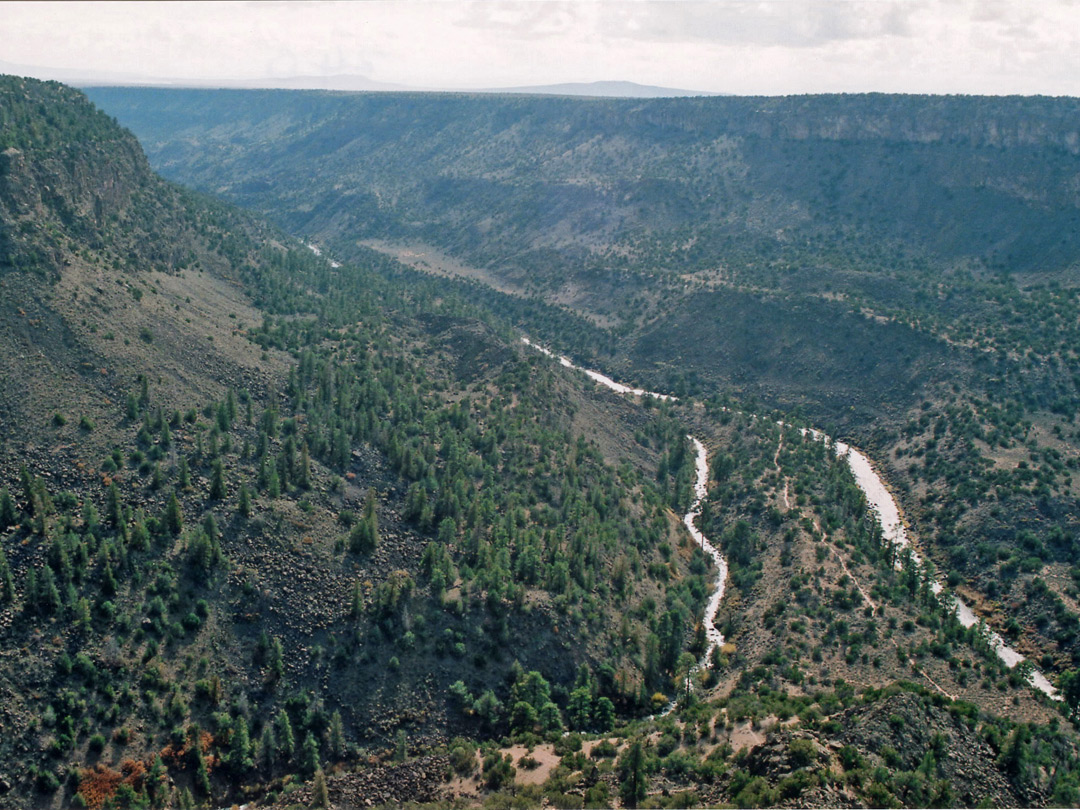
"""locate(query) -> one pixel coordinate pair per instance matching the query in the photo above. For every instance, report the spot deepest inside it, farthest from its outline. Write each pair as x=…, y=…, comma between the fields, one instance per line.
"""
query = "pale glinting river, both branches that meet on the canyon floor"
x=879, y=498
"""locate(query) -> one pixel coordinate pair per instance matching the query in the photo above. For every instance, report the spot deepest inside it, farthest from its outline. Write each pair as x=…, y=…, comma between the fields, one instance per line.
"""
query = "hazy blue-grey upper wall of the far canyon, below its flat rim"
x=591, y=177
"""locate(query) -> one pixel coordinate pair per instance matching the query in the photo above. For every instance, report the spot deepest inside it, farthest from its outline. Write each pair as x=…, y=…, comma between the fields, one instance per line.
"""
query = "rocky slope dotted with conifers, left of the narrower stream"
x=262, y=512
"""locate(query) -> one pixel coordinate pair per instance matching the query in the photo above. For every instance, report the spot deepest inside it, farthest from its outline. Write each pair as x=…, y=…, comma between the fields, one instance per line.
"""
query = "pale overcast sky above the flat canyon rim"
x=741, y=47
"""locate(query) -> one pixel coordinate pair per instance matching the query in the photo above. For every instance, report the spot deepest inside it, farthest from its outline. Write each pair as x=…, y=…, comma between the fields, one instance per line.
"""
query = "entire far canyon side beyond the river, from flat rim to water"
x=896, y=271
